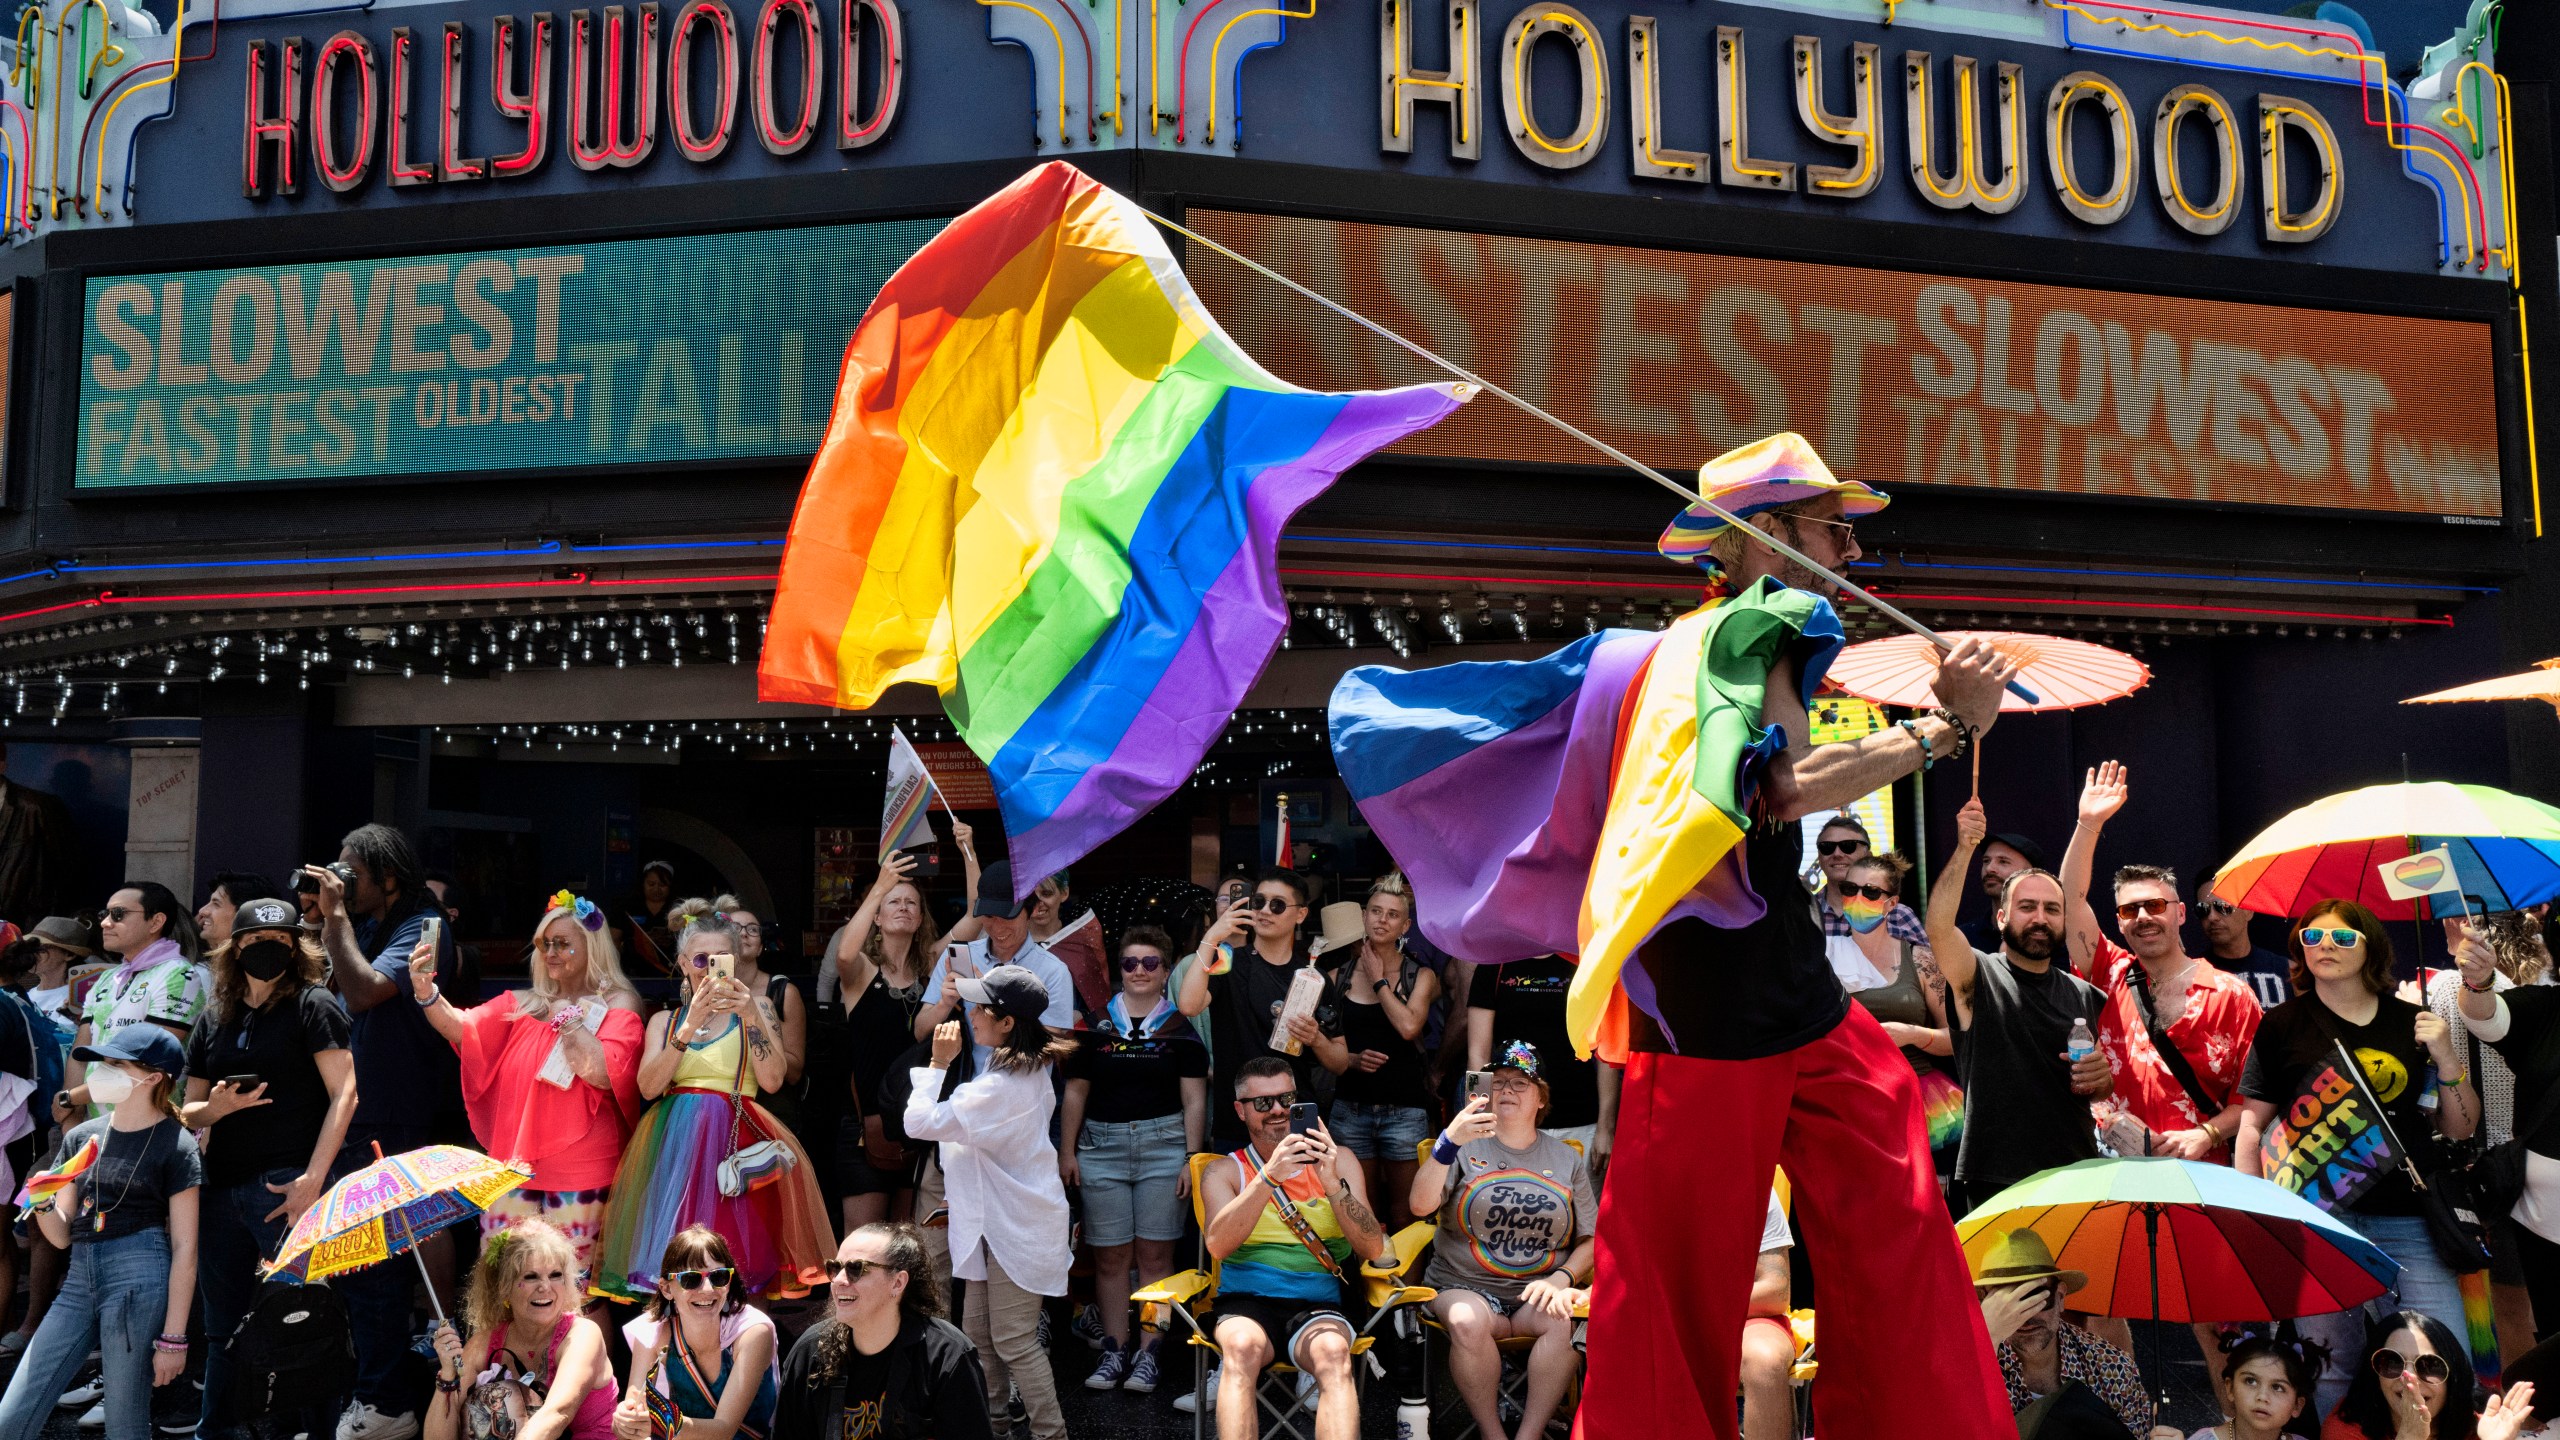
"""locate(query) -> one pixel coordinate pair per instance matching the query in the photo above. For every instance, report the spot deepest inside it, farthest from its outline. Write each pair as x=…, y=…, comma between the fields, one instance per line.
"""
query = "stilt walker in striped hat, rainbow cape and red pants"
x=1665, y=780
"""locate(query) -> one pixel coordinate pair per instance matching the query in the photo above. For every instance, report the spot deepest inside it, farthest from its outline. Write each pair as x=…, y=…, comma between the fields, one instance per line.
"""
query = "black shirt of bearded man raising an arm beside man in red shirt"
x=2019, y=1106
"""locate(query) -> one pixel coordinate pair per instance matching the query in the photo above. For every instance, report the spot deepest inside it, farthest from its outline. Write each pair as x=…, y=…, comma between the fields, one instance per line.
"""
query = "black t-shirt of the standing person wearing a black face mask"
x=278, y=1047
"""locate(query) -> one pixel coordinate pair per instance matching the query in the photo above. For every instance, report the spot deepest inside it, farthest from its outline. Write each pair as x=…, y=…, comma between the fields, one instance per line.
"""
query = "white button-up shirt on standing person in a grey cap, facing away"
x=1000, y=1172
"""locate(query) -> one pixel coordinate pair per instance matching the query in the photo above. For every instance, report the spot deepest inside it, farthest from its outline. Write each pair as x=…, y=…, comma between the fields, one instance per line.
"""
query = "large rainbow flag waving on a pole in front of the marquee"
x=1053, y=491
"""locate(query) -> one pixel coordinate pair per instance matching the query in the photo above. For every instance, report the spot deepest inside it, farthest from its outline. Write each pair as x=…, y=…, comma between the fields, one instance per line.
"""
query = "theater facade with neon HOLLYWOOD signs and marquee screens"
x=408, y=398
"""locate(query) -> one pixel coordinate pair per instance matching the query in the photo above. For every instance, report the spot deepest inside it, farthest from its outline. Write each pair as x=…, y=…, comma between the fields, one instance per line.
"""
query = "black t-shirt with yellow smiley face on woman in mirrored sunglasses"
x=2298, y=1036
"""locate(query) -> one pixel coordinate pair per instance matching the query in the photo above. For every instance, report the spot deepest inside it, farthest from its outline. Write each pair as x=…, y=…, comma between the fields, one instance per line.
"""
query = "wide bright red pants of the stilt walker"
x=1901, y=1334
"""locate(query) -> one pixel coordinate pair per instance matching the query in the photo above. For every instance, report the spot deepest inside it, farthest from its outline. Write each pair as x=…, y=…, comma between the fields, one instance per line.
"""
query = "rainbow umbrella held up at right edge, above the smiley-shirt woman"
x=2505, y=852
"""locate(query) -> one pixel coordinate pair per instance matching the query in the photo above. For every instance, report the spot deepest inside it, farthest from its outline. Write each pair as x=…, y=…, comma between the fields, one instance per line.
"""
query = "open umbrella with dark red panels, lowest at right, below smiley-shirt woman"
x=2185, y=1241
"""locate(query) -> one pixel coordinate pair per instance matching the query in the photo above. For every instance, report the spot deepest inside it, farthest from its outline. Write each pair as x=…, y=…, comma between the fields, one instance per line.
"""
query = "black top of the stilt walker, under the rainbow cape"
x=1742, y=995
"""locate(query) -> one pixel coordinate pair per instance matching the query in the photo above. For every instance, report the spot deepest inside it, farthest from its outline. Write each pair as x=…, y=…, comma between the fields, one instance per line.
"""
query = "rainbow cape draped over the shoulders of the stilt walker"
x=1586, y=801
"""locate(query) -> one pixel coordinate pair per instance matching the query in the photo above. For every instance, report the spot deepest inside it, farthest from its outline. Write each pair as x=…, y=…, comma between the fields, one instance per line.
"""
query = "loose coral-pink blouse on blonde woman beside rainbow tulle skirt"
x=570, y=1136
